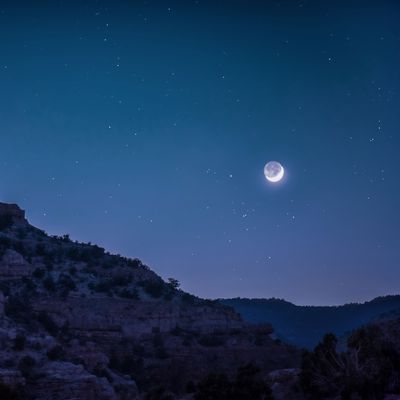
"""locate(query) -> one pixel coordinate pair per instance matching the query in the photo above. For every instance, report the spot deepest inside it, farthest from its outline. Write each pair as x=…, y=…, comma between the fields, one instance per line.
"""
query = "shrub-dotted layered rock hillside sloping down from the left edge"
x=79, y=323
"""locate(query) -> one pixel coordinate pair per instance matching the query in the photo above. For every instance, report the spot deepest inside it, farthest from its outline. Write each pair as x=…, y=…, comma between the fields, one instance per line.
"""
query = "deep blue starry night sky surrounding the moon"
x=144, y=127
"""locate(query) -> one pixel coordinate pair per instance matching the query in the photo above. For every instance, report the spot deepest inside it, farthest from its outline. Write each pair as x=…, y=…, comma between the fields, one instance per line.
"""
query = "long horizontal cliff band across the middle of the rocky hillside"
x=117, y=317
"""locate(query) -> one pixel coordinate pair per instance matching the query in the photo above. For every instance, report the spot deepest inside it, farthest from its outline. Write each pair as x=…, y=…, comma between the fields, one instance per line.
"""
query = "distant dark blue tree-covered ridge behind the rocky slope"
x=304, y=326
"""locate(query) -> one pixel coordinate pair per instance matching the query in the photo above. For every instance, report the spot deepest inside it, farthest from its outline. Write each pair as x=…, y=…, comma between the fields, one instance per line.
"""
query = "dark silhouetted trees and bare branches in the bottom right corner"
x=369, y=368
